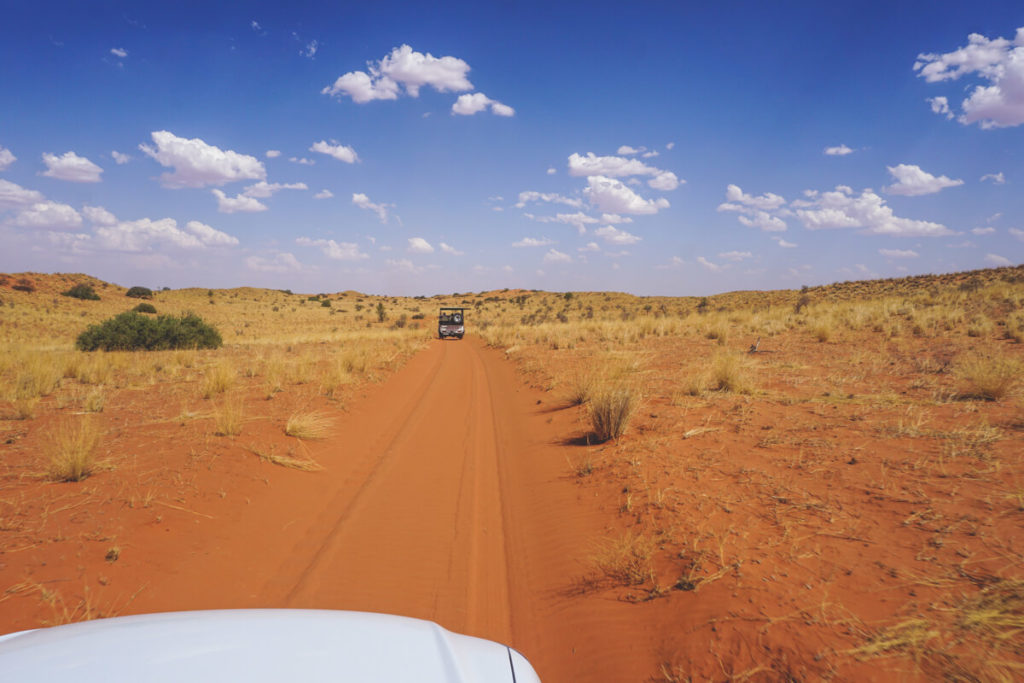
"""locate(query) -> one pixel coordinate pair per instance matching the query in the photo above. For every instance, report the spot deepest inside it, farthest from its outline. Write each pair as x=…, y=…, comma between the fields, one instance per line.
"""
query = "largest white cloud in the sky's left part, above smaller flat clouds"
x=197, y=164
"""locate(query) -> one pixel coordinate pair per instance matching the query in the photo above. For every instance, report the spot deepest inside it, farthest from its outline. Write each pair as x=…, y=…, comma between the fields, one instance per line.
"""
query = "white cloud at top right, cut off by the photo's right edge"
x=998, y=62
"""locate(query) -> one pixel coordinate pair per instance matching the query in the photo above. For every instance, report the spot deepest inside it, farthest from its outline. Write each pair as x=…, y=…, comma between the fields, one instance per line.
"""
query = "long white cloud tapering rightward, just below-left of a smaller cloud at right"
x=840, y=209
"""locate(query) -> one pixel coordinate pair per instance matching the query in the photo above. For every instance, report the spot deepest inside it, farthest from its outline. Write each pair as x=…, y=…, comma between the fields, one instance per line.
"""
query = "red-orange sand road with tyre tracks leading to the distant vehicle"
x=447, y=497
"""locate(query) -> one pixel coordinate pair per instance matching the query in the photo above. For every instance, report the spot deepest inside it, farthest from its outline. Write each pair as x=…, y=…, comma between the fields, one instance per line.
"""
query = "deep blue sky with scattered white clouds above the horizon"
x=657, y=148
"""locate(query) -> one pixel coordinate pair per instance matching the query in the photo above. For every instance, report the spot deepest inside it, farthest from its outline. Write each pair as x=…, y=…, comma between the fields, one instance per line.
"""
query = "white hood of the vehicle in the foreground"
x=259, y=646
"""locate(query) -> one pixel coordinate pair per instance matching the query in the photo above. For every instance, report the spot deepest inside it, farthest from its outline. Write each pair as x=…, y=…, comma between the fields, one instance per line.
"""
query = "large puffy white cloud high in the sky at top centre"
x=404, y=67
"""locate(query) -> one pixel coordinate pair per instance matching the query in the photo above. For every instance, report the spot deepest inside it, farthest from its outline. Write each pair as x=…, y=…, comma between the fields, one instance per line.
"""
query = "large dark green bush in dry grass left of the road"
x=132, y=331
